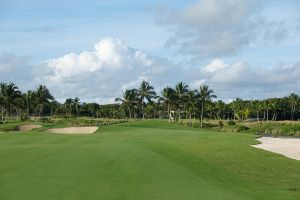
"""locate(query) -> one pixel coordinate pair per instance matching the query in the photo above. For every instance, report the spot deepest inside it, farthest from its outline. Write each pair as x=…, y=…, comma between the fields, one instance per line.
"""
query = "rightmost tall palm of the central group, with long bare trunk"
x=205, y=95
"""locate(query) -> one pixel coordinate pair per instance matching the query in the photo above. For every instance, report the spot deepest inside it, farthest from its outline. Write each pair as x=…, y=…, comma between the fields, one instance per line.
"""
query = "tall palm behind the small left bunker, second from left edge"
x=42, y=96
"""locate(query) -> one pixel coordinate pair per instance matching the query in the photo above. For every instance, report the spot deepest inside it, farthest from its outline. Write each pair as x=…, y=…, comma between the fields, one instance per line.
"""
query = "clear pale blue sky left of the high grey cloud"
x=58, y=27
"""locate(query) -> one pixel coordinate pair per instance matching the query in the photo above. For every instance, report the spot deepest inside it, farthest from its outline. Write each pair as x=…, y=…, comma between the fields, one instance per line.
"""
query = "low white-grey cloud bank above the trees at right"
x=239, y=79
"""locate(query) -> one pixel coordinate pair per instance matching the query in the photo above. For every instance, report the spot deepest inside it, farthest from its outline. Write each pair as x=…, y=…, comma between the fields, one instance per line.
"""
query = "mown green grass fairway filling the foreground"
x=143, y=160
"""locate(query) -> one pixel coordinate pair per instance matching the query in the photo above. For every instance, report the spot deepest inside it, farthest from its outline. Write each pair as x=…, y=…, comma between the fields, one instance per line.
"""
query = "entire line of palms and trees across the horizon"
x=174, y=103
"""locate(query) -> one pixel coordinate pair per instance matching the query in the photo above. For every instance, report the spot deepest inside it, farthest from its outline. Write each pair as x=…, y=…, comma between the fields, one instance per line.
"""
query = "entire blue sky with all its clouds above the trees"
x=181, y=38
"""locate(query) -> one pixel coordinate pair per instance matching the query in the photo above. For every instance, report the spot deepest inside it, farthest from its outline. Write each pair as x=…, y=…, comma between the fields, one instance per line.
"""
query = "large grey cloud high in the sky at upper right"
x=218, y=28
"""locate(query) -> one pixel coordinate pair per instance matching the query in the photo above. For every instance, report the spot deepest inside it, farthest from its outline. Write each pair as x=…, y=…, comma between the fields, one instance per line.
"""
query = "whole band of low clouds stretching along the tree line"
x=100, y=75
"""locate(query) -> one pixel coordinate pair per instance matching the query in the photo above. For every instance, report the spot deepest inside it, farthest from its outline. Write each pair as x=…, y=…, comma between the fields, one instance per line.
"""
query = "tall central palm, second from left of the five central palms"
x=146, y=91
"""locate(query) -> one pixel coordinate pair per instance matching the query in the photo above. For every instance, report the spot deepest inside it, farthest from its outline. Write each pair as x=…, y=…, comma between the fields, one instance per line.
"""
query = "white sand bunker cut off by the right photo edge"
x=289, y=147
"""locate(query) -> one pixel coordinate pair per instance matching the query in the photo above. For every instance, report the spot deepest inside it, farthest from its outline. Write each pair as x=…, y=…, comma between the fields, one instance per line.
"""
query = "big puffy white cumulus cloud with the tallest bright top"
x=104, y=72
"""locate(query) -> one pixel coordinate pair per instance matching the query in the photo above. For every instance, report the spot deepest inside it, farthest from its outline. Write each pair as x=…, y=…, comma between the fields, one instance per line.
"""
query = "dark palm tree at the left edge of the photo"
x=9, y=94
